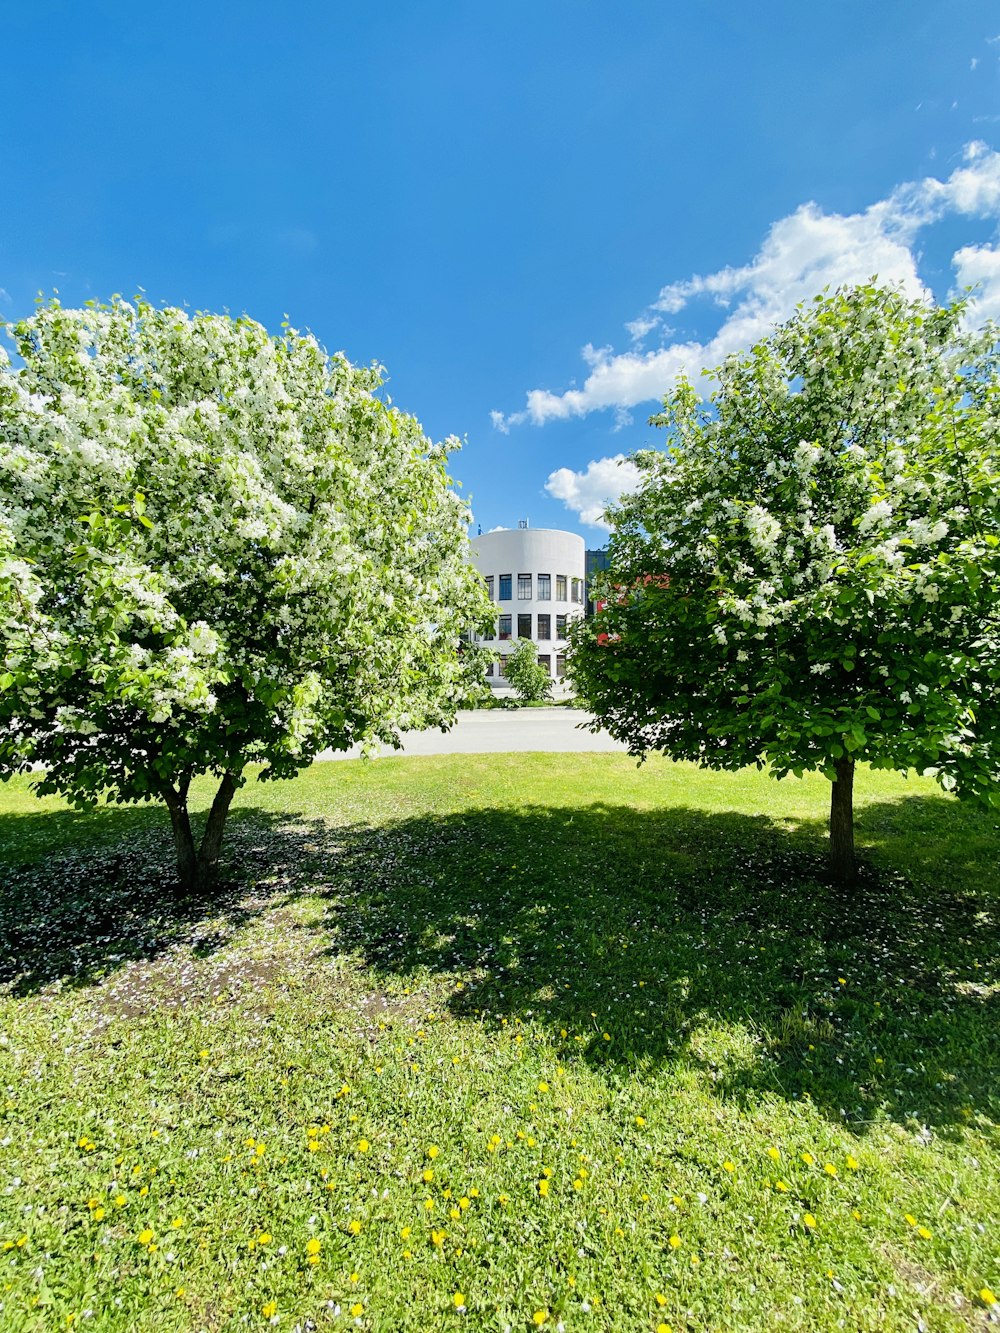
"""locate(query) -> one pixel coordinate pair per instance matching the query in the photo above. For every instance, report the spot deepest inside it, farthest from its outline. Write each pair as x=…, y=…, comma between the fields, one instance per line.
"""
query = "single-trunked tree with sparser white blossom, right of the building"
x=810, y=575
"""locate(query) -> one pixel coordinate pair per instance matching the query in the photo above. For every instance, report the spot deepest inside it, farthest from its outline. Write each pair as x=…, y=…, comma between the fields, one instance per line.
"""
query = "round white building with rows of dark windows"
x=537, y=577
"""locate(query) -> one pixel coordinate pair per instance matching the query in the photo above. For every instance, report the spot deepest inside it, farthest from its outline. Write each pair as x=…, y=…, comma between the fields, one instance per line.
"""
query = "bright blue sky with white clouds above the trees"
x=534, y=214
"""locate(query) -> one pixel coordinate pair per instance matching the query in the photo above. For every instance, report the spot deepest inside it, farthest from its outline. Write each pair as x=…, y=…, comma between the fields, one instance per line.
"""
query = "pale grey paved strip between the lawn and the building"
x=502, y=731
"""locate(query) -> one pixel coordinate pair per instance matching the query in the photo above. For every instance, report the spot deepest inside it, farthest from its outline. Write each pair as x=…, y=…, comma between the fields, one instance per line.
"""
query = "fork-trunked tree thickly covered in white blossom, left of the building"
x=218, y=549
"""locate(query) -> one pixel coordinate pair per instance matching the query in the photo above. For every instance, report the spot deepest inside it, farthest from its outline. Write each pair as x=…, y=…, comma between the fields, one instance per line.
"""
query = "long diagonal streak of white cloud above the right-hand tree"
x=802, y=254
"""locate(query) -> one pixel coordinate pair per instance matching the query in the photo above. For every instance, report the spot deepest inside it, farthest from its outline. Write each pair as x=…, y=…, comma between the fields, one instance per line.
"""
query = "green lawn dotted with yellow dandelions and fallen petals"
x=502, y=1043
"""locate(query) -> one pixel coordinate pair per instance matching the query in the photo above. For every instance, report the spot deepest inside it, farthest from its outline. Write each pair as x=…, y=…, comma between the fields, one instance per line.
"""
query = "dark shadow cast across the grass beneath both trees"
x=662, y=930
